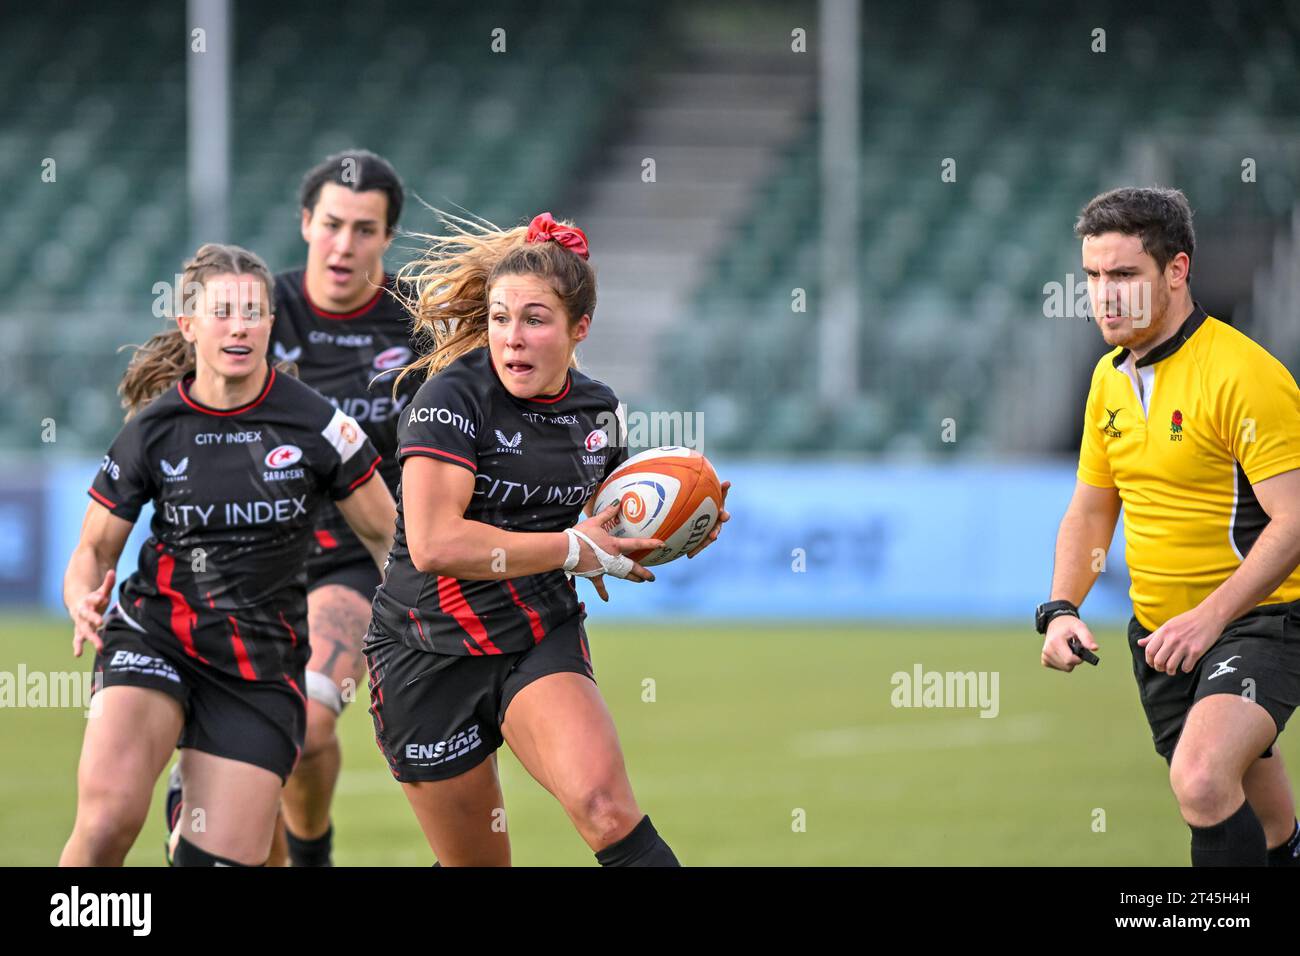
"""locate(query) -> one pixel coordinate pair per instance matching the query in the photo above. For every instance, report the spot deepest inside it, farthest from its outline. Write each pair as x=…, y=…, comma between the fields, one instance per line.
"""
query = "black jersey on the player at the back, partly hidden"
x=353, y=360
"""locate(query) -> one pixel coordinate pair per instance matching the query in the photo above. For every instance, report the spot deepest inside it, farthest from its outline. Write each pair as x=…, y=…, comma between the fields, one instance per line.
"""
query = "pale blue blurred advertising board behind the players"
x=812, y=540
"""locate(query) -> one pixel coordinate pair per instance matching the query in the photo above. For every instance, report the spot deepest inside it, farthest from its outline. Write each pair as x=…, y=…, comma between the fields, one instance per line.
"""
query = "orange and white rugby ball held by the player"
x=671, y=494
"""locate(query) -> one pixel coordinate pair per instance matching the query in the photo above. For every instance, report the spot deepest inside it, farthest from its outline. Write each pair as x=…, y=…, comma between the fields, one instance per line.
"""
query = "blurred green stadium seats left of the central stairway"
x=103, y=92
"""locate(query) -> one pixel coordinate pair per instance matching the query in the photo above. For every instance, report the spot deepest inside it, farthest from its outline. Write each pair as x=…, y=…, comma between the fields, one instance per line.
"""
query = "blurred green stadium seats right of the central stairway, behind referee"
x=952, y=274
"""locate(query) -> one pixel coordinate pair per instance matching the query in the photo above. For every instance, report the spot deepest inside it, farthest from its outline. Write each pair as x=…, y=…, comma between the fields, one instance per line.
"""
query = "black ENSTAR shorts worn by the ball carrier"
x=439, y=716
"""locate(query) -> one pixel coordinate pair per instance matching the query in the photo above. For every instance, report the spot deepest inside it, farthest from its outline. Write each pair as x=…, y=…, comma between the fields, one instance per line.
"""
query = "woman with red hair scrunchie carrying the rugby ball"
x=476, y=637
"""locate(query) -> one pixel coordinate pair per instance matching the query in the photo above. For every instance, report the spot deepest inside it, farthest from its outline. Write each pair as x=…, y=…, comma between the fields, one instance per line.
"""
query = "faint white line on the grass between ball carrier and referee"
x=905, y=736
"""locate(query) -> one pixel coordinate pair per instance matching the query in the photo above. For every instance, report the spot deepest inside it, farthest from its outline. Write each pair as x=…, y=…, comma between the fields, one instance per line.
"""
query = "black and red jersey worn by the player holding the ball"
x=535, y=464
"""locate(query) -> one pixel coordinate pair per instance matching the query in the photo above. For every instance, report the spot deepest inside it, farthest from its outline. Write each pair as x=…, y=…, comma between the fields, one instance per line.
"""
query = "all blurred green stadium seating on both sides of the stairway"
x=951, y=274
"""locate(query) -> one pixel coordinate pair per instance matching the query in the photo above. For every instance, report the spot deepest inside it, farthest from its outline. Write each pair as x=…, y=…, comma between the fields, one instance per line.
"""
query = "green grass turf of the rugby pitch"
x=749, y=725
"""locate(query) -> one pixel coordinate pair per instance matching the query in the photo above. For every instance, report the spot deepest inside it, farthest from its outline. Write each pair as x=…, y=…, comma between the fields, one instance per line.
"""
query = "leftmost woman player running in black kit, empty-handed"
x=207, y=644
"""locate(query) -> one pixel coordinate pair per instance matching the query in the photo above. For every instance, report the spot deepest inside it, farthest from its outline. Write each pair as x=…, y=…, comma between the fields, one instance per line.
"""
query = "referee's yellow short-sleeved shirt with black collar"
x=1182, y=435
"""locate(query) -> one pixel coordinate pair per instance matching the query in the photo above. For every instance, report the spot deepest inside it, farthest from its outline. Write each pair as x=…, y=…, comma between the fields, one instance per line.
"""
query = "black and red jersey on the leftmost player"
x=236, y=495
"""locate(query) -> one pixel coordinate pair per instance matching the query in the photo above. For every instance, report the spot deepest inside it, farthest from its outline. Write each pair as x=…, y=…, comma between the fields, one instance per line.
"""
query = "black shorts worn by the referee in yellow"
x=1258, y=656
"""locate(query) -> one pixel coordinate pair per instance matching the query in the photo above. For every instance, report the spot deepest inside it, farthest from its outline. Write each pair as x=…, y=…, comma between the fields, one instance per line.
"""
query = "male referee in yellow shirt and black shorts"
x=1195, y=430
